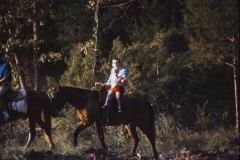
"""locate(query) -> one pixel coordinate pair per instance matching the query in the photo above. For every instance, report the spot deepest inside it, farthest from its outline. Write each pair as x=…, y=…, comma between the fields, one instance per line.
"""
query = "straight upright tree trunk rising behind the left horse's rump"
x=35, y=47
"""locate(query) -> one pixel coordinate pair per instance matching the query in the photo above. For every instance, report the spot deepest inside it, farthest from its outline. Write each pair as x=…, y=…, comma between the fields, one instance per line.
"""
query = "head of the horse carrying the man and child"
x=58, y=100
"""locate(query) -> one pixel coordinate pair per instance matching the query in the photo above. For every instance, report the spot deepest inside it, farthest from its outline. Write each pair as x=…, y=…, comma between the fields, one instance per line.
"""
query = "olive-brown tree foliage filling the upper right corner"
x=212, y=25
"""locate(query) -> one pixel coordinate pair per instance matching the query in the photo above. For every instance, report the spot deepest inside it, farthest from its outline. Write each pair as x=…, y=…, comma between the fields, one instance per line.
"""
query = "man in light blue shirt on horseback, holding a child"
x=110, y=83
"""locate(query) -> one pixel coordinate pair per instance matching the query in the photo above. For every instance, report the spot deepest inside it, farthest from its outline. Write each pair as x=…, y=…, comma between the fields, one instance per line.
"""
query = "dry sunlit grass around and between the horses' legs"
x=171, y=139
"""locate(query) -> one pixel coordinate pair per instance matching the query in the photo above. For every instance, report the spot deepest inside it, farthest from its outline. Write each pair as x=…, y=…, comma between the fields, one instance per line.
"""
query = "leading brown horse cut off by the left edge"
x=37, y=111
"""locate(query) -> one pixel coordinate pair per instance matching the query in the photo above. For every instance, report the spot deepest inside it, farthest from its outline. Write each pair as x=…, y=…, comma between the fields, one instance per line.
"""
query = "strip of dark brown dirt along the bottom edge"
x=100, y=154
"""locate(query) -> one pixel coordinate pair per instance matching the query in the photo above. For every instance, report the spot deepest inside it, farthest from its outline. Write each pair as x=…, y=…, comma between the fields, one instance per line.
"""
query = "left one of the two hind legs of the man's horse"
x=133, y=134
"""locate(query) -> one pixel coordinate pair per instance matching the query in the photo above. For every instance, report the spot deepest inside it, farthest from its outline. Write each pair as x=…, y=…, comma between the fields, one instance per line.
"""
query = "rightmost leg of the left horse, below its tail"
x=46, y=133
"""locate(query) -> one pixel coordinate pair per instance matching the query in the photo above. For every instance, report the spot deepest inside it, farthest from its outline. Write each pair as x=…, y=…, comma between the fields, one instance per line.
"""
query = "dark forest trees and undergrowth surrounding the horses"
x=182, y=57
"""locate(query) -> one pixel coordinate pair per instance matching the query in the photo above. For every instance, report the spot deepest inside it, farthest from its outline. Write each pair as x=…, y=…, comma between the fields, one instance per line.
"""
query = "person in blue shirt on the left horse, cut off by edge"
x=5, y=84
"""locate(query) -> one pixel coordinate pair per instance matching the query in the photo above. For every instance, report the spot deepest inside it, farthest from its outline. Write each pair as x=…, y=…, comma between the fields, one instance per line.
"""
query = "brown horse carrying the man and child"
x=89, y=110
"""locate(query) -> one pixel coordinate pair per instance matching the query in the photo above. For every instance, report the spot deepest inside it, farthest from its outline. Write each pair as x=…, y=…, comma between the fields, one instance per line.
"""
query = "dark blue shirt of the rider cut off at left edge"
x=5, y=71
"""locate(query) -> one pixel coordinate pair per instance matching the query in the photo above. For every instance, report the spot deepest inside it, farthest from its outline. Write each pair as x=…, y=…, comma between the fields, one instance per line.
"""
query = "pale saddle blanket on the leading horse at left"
x=19, y=103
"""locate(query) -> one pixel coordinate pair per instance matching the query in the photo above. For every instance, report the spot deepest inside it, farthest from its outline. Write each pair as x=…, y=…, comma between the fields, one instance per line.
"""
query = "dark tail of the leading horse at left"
x=46, y=117
